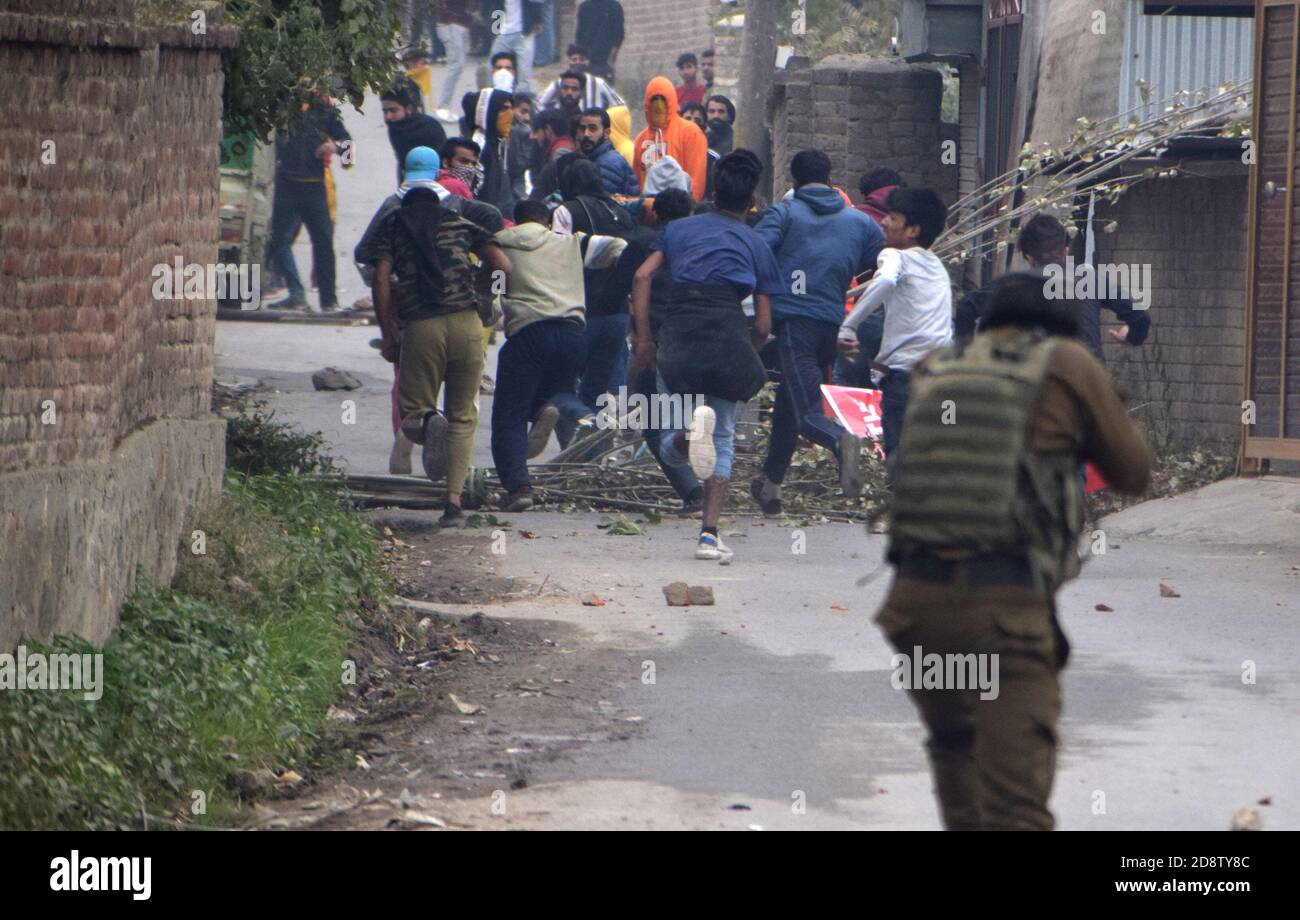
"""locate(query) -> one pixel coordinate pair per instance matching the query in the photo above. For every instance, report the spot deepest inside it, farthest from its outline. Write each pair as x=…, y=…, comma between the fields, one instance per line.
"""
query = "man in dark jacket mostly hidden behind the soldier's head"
x=1045, y=242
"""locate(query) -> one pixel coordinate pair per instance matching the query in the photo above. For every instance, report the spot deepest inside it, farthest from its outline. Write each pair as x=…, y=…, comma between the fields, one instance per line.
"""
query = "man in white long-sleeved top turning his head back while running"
x=913, y=287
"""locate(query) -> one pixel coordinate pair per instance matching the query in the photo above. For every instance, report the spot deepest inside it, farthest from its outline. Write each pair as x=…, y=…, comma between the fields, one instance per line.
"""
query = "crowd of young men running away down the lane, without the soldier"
x=515, y=173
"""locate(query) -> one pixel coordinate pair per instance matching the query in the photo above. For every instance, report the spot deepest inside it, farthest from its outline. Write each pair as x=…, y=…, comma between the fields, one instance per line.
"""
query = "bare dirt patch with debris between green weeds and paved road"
x=450, y=706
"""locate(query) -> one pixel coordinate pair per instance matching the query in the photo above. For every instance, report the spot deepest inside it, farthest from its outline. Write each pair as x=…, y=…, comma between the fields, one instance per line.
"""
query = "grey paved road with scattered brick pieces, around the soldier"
x=774, y=692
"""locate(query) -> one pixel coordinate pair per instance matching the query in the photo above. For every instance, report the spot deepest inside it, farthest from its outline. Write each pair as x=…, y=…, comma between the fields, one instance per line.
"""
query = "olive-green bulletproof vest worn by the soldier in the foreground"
x=965, y=479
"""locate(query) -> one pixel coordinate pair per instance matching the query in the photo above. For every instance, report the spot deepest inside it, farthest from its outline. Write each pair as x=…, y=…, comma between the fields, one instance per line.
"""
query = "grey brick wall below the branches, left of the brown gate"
x=1189, y=375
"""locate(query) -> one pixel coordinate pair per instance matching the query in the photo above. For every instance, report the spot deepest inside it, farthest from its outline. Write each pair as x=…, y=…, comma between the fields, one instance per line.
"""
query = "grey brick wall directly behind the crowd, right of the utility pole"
x=864, y=112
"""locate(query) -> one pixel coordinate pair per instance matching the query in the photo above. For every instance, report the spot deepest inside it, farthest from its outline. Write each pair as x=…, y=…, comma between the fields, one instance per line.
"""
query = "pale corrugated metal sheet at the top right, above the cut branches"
x=1182, y=53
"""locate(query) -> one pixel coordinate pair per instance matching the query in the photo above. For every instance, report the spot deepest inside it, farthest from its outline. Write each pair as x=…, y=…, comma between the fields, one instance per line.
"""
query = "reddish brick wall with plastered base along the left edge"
x=106, y=437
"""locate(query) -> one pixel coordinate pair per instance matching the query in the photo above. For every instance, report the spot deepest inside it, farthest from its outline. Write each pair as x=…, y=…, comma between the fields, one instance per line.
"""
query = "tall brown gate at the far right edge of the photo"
x=1273, y=277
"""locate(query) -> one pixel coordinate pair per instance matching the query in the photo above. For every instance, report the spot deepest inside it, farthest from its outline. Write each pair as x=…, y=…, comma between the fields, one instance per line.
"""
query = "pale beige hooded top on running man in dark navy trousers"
x=547, y=274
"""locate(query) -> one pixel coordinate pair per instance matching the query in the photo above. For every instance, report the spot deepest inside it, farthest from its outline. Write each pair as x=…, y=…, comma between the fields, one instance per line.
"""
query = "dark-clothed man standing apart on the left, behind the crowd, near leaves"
x=302, y=154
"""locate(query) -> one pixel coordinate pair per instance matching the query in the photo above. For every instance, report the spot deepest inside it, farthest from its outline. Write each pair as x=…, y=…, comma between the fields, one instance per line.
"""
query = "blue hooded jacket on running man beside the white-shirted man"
x=827, y=242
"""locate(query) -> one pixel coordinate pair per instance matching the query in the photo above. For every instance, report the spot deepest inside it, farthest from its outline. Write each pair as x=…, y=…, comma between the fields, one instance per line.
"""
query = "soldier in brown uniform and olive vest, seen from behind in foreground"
x=986, y=522
